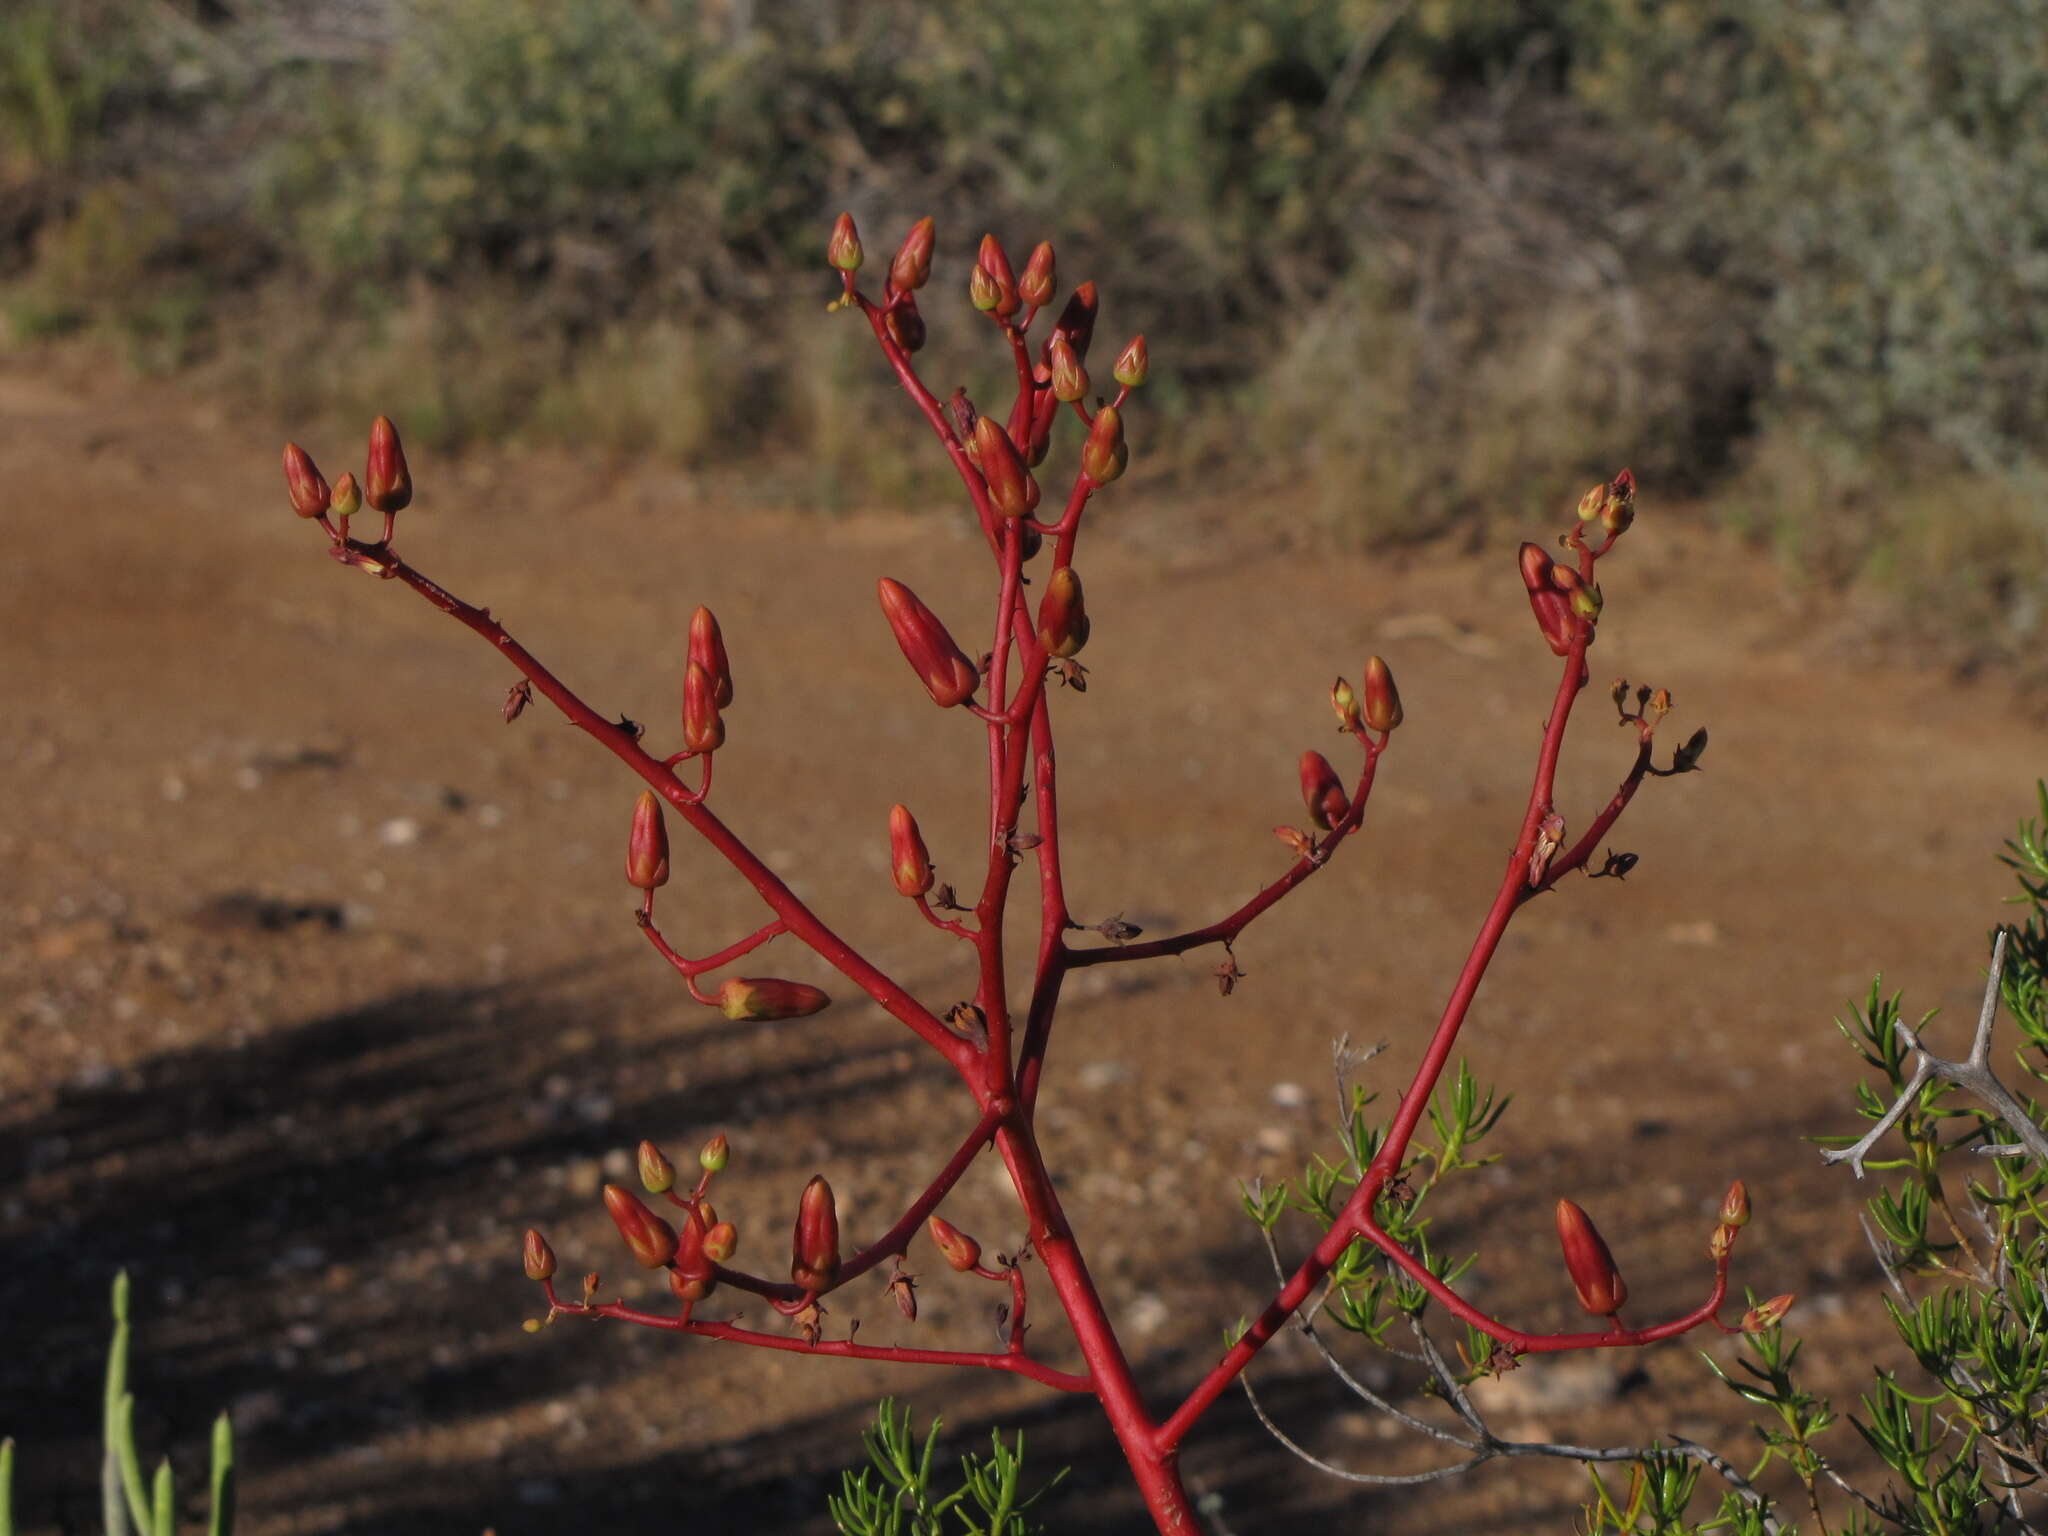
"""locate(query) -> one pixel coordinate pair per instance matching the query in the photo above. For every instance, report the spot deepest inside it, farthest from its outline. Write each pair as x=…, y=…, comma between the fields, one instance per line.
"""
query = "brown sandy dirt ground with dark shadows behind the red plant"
x=318, y=982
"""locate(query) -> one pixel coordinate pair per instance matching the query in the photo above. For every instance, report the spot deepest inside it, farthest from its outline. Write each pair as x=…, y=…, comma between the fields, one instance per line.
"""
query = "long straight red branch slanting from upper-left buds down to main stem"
x=781, y=900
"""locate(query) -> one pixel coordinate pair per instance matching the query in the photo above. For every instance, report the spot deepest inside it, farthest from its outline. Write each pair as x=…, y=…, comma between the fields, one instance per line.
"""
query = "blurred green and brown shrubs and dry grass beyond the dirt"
x=1414, y=261
